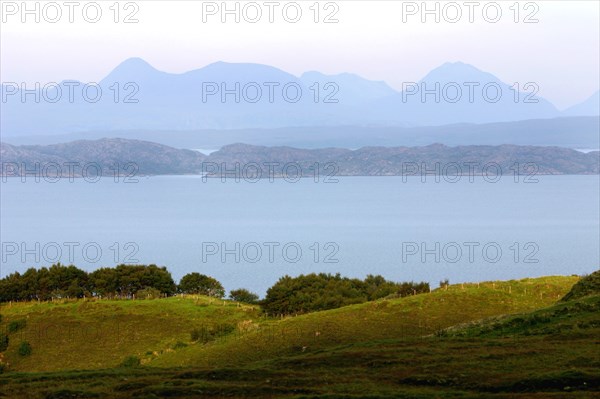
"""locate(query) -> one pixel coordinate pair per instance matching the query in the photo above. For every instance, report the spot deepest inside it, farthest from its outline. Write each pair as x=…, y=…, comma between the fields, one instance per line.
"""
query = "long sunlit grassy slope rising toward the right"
x=403, y=318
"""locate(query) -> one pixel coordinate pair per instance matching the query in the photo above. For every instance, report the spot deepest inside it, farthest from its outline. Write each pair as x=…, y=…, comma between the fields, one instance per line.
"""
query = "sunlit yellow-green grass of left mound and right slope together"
x=100, y=334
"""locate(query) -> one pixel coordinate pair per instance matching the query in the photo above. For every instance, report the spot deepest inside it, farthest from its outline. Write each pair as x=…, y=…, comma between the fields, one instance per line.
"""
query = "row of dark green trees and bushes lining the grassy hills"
x=305, y=293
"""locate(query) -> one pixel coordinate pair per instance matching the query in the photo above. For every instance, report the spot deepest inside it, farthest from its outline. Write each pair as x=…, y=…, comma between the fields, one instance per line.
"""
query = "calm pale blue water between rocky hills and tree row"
x=249, y=234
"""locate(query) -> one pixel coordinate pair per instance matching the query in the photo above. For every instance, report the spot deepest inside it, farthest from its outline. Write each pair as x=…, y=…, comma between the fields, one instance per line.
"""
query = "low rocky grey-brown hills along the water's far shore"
x=132, y=157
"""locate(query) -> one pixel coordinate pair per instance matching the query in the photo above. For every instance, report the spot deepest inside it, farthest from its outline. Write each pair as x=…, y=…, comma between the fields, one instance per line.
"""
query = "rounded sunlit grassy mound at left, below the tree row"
x=98, y=334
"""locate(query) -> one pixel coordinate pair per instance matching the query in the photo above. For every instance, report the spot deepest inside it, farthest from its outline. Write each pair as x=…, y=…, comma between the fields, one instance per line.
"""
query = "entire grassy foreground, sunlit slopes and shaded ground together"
x=497, y=339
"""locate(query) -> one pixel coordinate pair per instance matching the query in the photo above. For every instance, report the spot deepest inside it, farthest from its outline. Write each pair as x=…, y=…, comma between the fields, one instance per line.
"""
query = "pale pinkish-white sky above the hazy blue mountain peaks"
x=555, y=43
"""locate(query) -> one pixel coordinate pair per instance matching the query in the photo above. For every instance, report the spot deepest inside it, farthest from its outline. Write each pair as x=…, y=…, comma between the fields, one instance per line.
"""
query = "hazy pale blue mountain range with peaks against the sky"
x=136, y=96
